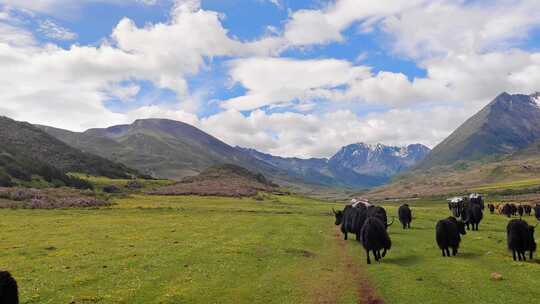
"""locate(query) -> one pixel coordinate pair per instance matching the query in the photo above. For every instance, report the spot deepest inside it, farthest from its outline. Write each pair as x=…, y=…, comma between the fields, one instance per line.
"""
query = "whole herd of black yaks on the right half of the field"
x=369, y=223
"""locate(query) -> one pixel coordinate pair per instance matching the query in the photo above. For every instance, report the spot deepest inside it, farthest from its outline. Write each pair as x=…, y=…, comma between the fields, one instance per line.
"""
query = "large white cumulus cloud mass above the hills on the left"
x=67, y=87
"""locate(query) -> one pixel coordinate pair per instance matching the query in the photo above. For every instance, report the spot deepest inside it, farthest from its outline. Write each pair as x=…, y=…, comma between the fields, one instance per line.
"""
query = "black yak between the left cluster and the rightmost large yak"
x=448, y=235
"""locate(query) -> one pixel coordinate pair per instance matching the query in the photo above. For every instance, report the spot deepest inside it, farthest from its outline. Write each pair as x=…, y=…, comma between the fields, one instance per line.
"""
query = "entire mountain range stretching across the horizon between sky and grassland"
x=501, y=142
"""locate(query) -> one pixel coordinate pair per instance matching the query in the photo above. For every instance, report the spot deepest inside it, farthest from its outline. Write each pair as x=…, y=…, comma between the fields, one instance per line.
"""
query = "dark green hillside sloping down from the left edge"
x=26, y=151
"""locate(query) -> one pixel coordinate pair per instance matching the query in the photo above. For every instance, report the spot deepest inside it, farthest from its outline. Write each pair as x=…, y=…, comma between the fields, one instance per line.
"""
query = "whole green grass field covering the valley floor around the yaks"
x=284, y=249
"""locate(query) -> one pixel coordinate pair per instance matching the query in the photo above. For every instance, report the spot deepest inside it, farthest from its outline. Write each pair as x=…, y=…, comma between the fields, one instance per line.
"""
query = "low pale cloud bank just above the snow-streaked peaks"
x=308, y=135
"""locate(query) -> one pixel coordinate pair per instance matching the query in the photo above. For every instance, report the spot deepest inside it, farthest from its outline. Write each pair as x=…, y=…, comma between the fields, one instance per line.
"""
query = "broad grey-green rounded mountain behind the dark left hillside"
x=162, y=148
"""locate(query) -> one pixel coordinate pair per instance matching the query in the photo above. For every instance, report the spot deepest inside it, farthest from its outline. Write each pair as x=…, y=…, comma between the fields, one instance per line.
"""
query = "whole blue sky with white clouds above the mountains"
x=293, y=78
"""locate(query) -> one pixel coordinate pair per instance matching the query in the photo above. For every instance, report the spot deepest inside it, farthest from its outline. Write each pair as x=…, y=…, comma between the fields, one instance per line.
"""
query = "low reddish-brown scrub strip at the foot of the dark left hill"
x=52, y=198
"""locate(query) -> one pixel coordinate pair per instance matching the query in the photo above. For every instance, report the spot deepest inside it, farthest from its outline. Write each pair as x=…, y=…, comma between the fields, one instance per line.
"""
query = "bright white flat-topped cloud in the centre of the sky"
x=274, y=81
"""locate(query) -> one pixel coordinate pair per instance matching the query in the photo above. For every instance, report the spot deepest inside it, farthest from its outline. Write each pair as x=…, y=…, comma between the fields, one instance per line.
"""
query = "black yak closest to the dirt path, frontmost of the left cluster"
x=375, y=238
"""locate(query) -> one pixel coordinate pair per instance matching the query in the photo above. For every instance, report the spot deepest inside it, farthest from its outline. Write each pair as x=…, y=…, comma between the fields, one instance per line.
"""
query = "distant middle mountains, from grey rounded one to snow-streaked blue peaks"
x=175, y=150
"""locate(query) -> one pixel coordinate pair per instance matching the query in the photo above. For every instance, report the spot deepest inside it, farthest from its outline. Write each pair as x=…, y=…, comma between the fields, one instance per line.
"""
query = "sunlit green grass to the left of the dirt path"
x=176, y=250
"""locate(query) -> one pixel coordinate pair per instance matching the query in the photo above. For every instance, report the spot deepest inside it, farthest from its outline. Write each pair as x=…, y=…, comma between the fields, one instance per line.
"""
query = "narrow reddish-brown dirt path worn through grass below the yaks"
x=365, y=292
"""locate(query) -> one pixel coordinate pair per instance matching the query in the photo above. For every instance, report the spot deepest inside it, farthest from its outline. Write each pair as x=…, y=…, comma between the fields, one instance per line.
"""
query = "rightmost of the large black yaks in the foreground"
x=520, y=238
